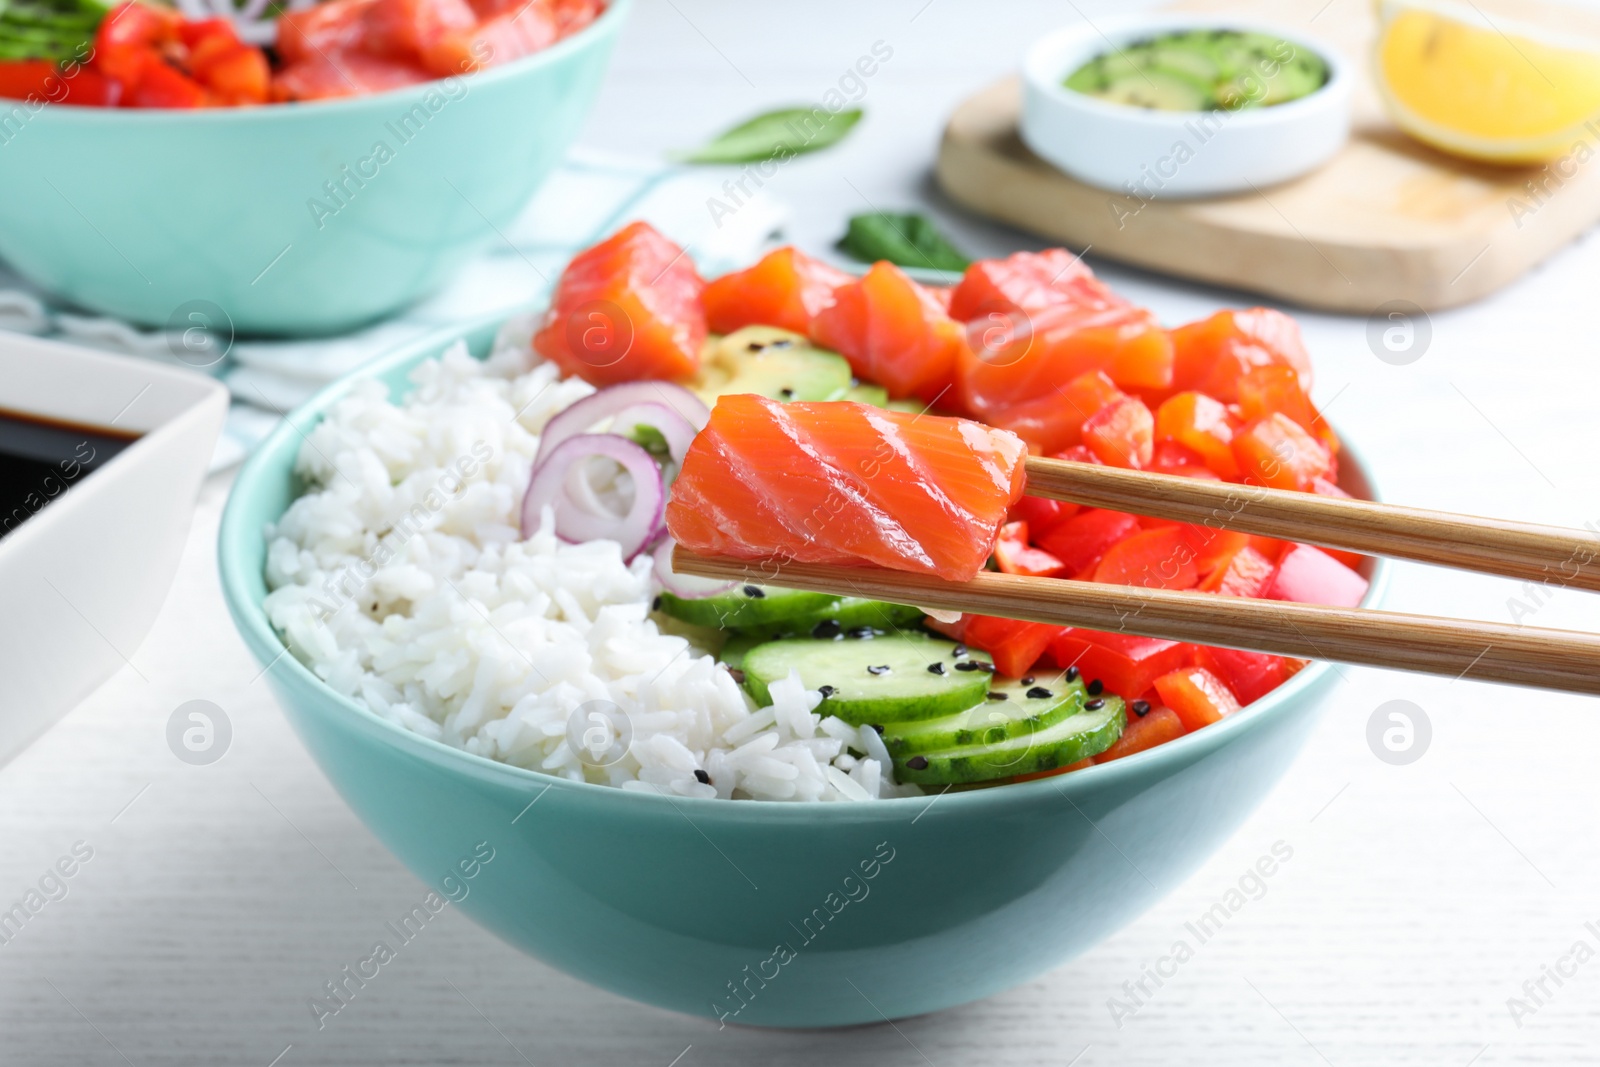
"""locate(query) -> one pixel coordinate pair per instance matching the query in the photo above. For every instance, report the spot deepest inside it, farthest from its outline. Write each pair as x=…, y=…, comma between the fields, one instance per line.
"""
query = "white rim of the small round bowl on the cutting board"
x=1044, y=74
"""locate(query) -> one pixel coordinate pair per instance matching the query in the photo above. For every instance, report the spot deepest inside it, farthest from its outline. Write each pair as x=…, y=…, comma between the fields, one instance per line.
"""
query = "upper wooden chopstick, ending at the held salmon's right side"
x=1494, y=546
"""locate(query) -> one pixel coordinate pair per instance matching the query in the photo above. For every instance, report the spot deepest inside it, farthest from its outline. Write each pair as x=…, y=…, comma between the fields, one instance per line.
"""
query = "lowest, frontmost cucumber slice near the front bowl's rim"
x=1068, y=741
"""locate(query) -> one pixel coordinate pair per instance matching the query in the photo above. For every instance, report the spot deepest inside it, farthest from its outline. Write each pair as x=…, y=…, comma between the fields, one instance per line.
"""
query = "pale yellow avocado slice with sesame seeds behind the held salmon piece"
x=772, y=362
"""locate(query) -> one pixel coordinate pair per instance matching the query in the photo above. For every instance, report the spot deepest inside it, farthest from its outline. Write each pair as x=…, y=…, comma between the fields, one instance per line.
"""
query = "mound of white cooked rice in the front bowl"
x=401, y=578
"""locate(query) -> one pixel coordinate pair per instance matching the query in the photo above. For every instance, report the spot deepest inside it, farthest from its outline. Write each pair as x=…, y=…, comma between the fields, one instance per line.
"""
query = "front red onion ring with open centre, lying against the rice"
x=578, y=511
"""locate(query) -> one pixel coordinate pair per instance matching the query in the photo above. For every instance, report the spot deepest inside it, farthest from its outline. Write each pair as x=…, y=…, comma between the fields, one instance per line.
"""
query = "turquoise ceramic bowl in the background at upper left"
x=142, y=214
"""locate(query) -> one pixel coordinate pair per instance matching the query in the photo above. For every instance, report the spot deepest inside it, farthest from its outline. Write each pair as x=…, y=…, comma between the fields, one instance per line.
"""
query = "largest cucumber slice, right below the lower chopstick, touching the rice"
x=874, y=681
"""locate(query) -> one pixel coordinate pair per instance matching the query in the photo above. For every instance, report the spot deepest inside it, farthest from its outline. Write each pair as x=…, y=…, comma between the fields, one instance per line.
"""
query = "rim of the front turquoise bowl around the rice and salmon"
x=254, y=626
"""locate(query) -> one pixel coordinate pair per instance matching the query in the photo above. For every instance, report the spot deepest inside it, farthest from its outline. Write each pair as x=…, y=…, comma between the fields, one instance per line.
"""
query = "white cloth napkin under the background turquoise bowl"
x=588, y=198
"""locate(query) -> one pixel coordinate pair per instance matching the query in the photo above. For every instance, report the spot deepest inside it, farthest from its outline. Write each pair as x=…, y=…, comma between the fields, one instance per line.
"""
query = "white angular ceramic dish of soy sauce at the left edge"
x=84, y=575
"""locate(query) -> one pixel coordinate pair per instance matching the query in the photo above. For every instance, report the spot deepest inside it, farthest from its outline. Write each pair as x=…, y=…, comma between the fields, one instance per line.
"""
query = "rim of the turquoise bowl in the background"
x=286, y=111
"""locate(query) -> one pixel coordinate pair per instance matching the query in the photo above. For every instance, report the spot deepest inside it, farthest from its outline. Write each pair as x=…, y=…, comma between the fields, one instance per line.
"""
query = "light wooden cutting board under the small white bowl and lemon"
x=1386, y=220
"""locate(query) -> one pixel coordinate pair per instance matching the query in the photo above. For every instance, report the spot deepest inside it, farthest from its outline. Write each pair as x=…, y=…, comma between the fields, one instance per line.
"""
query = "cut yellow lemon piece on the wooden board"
x=1487, y=89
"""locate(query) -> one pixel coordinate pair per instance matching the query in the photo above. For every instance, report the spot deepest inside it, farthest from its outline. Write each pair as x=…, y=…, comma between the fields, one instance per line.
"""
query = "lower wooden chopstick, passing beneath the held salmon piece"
x=1486, y=652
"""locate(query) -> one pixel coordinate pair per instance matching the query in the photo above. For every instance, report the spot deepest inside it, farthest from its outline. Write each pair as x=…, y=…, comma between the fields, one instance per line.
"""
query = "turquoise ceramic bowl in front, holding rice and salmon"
x=766, y=913
